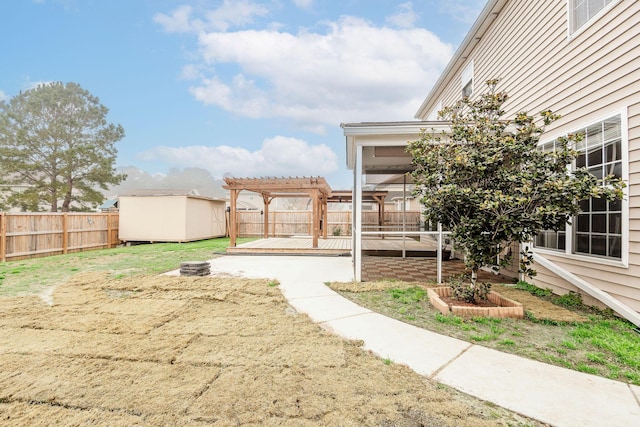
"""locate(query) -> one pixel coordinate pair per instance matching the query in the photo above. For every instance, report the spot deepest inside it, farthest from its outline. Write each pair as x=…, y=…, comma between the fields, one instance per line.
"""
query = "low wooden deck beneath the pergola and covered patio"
x=302, y=245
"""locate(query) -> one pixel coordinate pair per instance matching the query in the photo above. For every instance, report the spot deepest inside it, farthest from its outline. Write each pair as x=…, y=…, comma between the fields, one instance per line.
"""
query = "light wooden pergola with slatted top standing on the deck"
x=315, y=188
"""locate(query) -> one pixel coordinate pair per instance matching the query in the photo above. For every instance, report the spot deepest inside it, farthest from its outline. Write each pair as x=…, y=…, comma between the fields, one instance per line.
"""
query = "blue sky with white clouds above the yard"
x=237, y=87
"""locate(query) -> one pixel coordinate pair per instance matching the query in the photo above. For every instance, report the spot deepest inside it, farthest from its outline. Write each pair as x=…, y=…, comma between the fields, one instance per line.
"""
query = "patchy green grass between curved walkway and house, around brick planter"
x=603, y=345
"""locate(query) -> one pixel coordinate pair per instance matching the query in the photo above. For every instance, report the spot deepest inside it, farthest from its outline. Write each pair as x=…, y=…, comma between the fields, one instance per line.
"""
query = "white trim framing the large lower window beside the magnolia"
x=568, y=251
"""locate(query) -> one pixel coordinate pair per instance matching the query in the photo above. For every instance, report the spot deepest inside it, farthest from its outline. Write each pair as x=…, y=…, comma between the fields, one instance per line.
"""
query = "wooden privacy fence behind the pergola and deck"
x=291, y=223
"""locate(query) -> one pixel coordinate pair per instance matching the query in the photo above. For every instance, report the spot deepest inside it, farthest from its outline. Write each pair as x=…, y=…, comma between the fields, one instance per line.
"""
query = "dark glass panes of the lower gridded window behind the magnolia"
x=597, y=230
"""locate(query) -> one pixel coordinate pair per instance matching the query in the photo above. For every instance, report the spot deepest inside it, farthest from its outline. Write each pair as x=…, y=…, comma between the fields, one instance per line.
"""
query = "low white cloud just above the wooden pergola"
x=278, y=156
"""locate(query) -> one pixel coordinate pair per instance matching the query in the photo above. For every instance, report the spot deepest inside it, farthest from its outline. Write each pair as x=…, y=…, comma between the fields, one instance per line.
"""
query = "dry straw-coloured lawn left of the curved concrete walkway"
x=202, y=351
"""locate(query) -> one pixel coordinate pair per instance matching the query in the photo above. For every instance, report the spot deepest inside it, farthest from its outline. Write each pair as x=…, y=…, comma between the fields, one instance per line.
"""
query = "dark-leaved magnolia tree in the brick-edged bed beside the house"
x=490, y=185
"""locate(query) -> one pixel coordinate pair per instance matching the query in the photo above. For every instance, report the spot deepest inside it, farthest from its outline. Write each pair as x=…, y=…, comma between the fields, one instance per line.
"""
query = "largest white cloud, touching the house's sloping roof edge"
x=354, y=71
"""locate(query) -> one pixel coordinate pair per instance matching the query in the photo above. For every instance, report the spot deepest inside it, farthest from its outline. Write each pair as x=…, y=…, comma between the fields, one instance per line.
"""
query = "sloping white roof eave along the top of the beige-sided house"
x=487, y=16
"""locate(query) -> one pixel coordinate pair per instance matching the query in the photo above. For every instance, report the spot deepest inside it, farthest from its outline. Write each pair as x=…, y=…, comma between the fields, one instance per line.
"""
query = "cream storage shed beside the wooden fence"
x=170, y=218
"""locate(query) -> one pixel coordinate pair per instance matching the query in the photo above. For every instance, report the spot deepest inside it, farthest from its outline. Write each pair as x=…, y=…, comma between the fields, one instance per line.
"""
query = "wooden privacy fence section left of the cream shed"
x=27, y=235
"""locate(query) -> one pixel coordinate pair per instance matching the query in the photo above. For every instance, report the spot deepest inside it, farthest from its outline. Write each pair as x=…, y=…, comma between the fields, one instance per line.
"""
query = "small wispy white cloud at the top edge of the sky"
x=232, y=13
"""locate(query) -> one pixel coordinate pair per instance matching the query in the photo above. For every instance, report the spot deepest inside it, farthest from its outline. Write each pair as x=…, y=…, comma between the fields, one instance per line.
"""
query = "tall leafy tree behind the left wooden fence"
x=56, y=141
